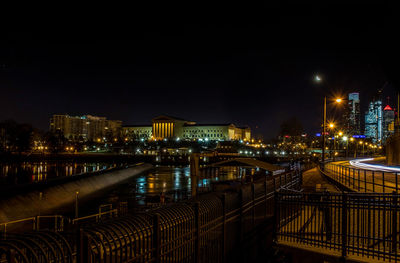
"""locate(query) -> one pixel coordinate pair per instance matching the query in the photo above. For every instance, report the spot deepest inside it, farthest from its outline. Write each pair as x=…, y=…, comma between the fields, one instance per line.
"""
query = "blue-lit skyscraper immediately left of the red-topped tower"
x=373, y=121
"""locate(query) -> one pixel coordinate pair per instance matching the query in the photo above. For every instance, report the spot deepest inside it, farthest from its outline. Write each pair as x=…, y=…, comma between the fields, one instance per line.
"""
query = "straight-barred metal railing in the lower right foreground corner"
x=353, y=225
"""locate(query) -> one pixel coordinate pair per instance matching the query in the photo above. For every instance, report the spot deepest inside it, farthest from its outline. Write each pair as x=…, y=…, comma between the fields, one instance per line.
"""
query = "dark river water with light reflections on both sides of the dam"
x=174, y=181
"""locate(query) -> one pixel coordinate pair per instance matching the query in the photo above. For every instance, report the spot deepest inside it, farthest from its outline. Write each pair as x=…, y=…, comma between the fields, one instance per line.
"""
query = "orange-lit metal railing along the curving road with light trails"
x=363, y=180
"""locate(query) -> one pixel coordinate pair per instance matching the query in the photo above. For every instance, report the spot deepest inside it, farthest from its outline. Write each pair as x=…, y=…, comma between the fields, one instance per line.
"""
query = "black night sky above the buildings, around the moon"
x=250, y=66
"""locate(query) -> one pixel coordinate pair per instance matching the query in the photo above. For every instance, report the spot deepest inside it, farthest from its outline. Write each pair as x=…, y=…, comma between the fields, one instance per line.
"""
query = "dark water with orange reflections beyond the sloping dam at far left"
x=29, y=172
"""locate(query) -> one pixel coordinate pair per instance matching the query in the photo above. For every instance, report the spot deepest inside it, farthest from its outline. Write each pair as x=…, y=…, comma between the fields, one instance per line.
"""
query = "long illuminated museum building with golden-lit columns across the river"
x=165, y=127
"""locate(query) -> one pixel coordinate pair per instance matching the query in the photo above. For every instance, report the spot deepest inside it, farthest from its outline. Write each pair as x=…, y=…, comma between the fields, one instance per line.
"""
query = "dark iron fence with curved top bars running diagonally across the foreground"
x=203, y=229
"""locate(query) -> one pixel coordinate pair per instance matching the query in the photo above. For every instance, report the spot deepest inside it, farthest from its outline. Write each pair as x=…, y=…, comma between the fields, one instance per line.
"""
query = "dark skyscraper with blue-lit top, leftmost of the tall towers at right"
x=353, y=115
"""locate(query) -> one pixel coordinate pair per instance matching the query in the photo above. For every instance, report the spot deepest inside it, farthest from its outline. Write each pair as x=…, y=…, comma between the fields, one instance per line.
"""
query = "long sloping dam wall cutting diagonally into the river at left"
x=52, y=198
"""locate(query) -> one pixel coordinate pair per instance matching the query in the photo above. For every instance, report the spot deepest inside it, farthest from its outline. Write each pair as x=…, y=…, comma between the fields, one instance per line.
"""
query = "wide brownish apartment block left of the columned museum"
x=85, y=127
